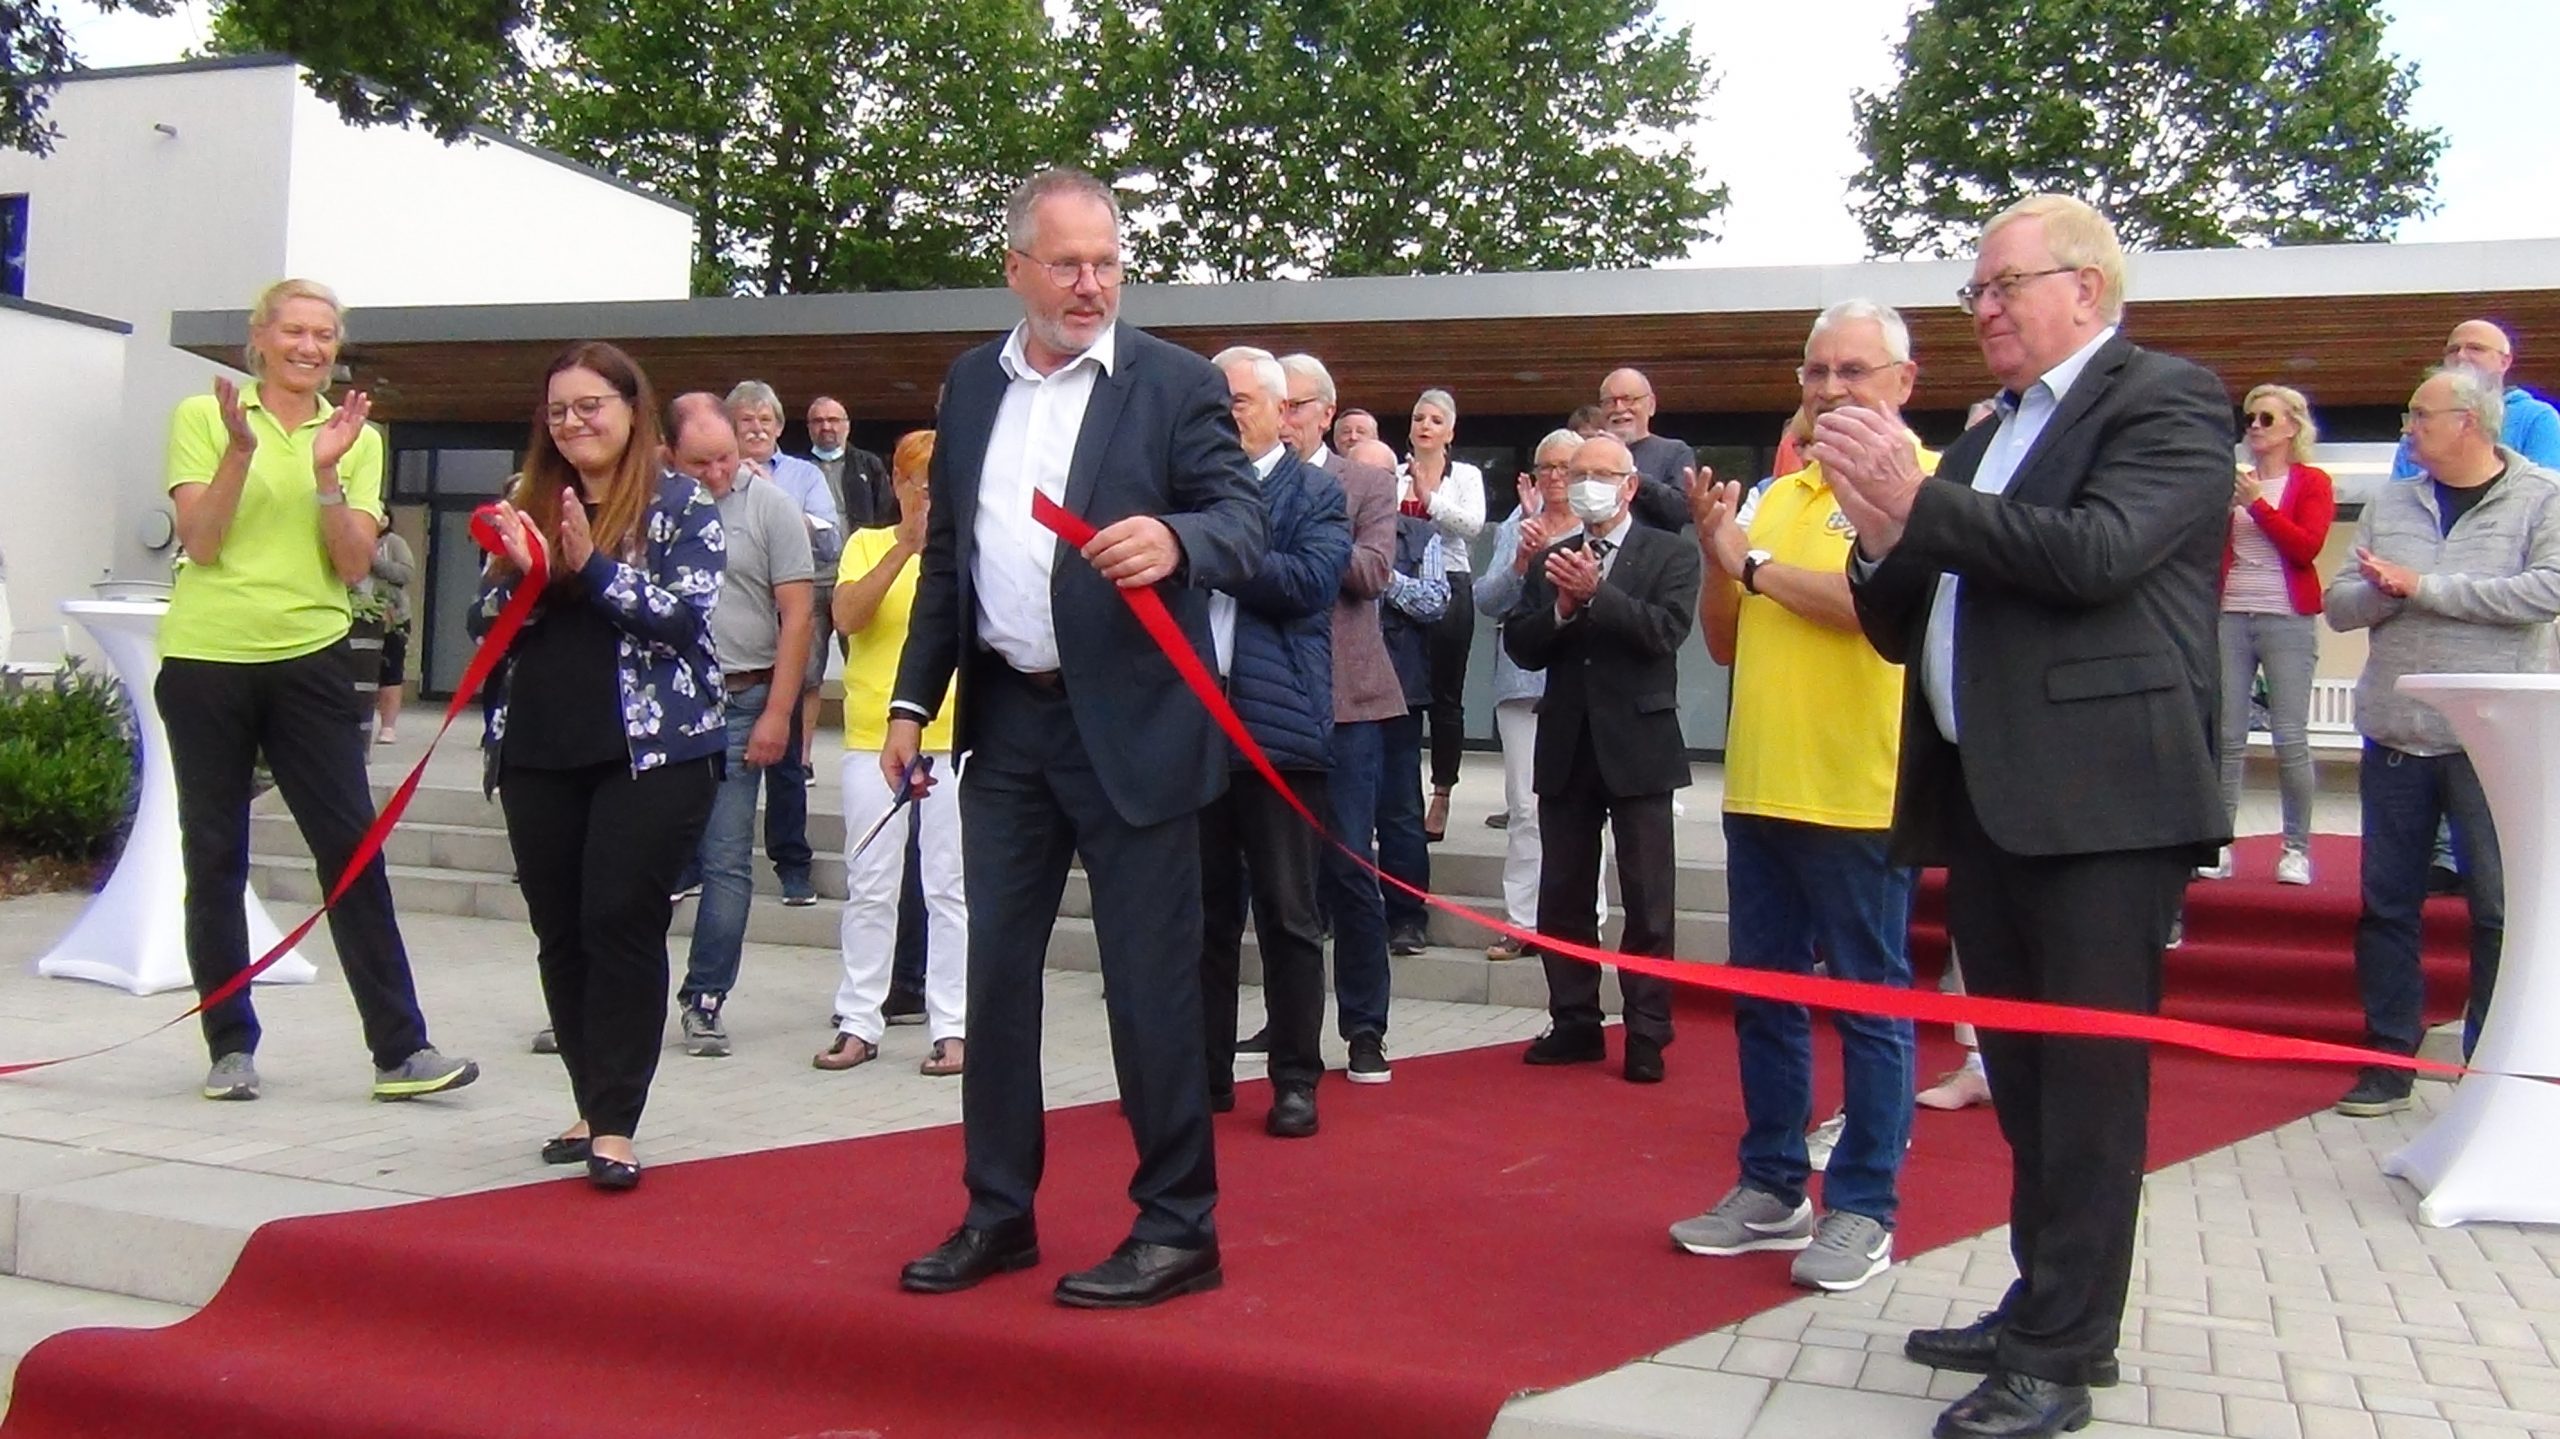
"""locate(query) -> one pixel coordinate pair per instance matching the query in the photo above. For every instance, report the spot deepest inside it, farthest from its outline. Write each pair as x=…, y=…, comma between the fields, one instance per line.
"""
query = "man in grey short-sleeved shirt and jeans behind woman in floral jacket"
x=759, y=631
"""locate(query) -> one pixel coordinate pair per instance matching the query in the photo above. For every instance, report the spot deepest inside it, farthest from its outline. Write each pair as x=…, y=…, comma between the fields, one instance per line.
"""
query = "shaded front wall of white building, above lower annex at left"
x=134, y=221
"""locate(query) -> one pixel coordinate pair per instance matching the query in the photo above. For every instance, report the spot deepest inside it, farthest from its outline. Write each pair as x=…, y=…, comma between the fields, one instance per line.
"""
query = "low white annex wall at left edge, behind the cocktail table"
x=52, y=488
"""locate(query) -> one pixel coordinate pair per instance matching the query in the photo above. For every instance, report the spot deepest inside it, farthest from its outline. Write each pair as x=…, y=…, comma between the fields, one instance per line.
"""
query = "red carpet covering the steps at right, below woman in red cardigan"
x=2269, y=956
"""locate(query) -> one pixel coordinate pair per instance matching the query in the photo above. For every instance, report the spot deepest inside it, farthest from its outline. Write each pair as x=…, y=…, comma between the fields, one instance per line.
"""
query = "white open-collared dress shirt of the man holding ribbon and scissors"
x=1030, y=449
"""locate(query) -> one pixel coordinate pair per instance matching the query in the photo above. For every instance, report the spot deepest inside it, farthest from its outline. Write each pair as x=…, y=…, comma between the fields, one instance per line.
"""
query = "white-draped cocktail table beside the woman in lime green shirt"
x=134, y=931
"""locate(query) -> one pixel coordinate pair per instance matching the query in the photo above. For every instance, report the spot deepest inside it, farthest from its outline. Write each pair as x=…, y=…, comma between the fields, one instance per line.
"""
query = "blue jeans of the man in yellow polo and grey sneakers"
x=1806, y=892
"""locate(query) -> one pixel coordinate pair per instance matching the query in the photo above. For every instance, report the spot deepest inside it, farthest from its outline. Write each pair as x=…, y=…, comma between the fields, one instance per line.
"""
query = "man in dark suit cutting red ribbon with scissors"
x=1082, y=736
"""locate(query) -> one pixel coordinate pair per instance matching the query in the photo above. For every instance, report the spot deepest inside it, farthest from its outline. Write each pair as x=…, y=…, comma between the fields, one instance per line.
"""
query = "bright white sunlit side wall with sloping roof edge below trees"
x=403, y=219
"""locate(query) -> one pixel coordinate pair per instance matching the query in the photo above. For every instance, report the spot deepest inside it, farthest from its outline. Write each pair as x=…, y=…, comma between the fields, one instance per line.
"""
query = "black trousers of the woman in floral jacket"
x=598, y=856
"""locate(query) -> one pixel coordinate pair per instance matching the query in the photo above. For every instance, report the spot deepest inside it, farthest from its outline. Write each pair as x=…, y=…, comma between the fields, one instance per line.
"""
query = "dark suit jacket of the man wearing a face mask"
x=1614, y=670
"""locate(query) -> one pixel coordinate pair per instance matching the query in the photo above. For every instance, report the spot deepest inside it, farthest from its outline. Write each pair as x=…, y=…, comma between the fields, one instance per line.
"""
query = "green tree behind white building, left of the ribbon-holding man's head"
x=826, y=145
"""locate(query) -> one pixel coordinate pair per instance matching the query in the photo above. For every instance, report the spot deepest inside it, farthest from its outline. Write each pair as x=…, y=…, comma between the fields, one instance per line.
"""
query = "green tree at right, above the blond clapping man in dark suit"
x=2190, y=124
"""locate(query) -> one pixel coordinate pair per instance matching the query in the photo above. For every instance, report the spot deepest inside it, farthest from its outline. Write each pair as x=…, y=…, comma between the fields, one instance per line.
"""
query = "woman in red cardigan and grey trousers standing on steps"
x=2282, y=511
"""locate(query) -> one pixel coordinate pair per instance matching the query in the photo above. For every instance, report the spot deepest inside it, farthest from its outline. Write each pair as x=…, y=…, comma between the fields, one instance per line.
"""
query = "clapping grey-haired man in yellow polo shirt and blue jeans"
x=1809, y=798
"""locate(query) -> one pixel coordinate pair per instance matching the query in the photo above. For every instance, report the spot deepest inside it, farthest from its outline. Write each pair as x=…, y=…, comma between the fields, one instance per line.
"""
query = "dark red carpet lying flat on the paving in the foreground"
x=1473, y=1230
